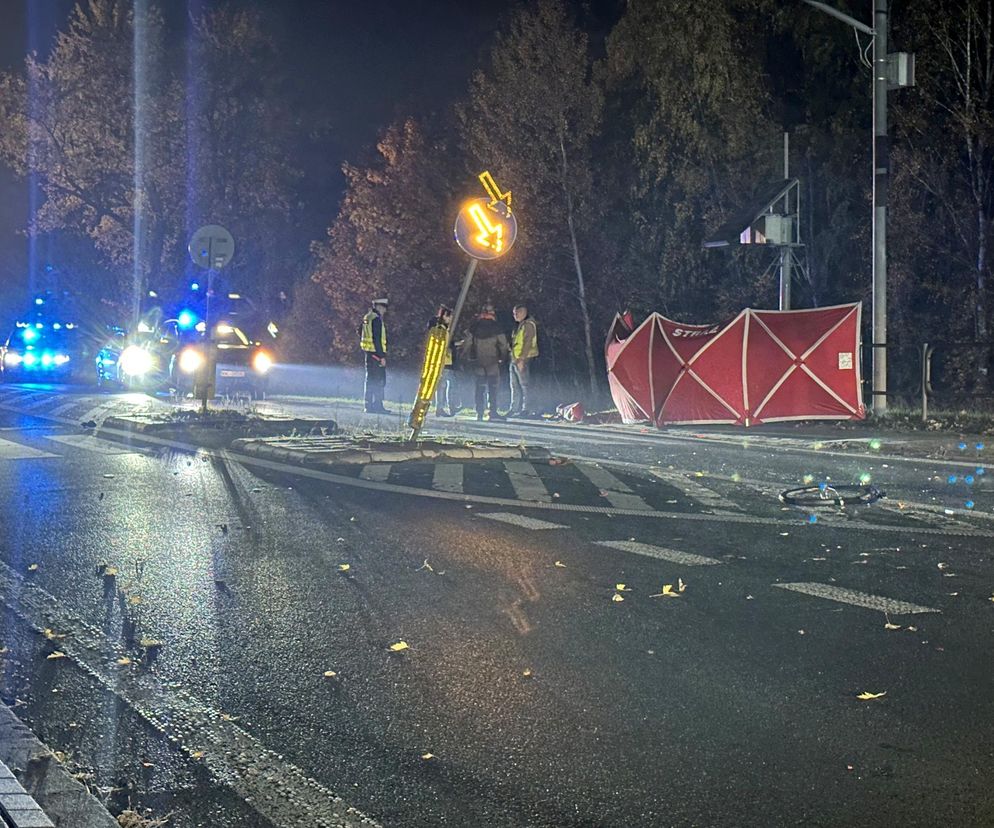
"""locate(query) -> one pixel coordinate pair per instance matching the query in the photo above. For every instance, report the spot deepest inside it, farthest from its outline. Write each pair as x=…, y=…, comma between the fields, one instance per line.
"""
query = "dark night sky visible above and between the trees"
x=367, y=62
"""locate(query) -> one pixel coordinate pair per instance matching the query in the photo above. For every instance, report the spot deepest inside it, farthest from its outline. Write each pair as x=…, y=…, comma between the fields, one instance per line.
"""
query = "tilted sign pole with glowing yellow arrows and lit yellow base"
x=485, y=229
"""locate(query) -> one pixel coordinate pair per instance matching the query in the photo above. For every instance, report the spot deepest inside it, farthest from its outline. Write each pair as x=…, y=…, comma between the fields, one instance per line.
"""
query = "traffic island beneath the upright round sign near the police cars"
x=215, y=429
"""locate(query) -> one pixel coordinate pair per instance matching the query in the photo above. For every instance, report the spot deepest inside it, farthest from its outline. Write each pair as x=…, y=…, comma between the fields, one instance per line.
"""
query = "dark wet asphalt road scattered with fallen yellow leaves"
x=542, y=700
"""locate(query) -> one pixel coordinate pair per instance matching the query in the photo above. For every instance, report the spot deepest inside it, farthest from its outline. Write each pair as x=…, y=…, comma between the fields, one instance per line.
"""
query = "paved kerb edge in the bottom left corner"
x=36, y=791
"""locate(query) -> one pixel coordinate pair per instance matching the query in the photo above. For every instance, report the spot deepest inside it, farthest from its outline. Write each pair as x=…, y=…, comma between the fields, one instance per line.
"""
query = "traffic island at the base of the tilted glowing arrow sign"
x=346, y=450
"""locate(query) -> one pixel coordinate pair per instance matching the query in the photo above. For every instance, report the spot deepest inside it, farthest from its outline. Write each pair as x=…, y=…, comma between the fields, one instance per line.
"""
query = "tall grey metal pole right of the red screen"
x=881, y=173
